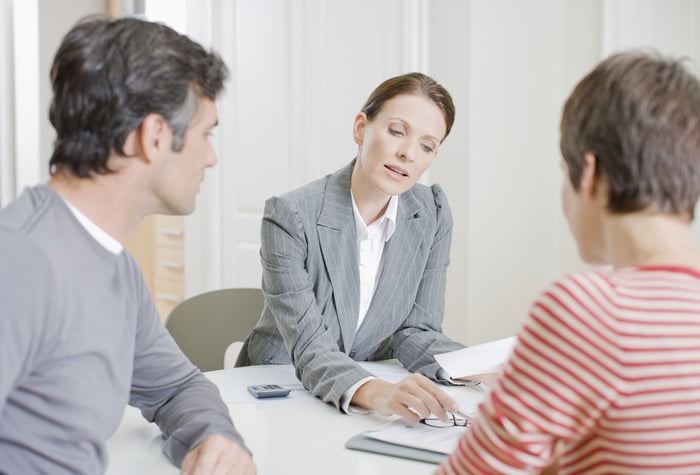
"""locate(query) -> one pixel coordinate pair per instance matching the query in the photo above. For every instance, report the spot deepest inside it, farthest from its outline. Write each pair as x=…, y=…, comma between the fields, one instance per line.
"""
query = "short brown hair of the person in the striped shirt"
x=639, y=115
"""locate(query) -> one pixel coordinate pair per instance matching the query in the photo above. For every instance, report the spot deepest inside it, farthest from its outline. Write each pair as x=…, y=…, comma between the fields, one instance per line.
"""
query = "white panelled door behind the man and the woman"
x=300, y=71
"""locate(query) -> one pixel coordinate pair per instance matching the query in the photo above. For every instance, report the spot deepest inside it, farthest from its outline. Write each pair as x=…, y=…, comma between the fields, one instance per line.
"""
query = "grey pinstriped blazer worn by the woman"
x=312, y=287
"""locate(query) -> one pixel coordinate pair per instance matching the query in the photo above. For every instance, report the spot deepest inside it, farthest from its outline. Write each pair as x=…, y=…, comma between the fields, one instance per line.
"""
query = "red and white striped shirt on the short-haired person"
x=608, y=366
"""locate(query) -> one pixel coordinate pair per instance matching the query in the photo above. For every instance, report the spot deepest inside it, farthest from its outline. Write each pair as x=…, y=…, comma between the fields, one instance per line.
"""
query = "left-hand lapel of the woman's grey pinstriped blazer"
x=336, y=234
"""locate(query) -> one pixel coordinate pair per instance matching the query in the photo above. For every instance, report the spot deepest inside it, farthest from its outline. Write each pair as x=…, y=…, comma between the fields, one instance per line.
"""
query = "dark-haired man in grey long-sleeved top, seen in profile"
x=80, y=338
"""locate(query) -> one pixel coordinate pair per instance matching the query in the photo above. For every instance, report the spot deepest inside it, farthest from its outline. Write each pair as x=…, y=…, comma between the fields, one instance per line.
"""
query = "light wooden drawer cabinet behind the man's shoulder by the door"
x=158, y=246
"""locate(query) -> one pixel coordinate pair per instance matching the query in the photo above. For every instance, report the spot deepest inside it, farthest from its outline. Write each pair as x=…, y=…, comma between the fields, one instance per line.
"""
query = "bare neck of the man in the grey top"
x=107, y=200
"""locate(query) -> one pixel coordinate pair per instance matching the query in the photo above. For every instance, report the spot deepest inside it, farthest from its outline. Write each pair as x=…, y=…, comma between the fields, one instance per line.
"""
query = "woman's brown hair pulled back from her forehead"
x=412, y=83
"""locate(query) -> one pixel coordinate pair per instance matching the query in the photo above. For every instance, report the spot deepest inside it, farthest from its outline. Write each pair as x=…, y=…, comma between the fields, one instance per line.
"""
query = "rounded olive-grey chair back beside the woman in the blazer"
x=205, y=325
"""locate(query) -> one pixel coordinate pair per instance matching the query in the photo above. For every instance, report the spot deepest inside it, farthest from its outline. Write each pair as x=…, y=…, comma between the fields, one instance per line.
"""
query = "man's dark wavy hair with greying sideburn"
x=108, y=75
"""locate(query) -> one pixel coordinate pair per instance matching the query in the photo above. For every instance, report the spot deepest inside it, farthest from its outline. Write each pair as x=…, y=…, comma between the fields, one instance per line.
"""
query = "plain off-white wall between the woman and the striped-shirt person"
x=510, y=66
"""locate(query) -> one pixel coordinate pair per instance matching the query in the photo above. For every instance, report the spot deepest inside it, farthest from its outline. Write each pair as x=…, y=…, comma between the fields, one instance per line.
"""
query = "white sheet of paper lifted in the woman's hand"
x=477, y=359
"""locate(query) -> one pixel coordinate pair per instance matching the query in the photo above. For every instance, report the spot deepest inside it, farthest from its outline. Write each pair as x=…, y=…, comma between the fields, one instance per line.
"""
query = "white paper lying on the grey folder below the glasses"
x=420, y=436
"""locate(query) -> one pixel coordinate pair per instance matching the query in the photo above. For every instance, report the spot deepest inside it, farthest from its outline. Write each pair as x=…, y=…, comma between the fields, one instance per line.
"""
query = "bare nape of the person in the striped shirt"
x=648, y=238
